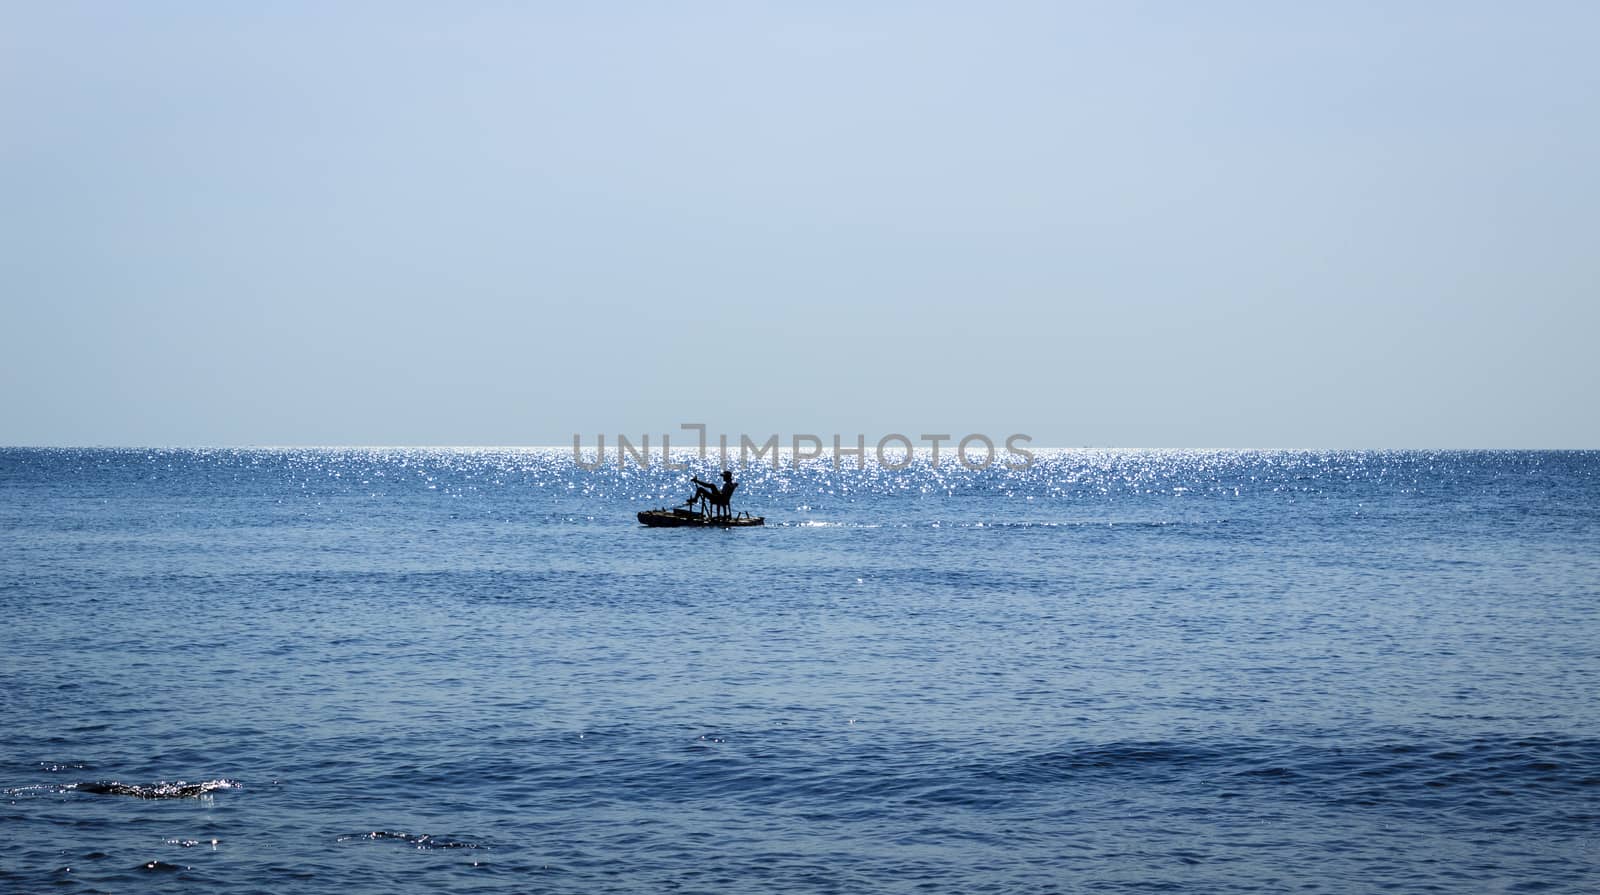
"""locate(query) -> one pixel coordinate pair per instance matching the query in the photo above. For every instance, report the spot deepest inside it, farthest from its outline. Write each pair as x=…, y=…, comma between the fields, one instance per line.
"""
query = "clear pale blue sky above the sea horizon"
x=1111, y=225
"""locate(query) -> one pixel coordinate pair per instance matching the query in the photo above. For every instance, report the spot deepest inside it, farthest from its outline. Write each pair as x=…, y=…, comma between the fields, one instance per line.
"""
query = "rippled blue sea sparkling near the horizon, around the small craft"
x=1119, y=672
